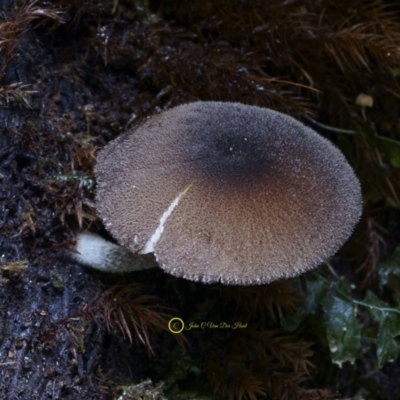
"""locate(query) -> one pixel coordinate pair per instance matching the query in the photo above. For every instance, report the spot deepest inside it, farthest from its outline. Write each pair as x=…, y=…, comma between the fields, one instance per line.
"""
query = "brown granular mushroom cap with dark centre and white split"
x=227, y=192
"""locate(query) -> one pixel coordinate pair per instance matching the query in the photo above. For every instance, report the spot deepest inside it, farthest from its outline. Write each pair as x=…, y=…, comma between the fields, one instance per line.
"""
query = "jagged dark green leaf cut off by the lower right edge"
x=389, y=327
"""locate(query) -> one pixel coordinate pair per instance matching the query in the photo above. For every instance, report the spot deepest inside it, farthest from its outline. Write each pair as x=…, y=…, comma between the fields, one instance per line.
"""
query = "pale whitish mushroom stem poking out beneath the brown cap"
x=93, y=251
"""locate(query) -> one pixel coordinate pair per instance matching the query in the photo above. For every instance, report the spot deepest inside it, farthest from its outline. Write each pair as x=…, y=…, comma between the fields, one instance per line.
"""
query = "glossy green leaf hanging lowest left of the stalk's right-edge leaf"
x=343, y=329
